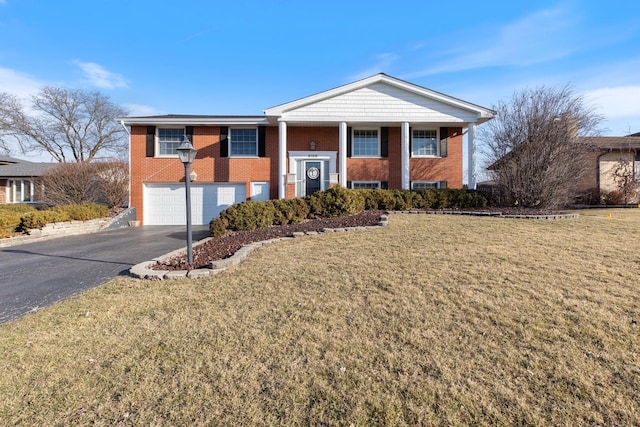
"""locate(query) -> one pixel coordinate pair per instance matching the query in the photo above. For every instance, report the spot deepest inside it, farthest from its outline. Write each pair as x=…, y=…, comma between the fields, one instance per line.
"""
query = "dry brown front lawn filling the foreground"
x=434, y=320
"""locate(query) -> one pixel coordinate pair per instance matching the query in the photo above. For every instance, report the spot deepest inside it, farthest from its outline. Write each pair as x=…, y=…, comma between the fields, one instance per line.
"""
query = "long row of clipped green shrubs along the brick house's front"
x=339, y=201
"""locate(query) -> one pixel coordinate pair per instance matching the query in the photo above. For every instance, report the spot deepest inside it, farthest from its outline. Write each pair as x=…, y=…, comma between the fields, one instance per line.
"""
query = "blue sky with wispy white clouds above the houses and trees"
x=241, y=57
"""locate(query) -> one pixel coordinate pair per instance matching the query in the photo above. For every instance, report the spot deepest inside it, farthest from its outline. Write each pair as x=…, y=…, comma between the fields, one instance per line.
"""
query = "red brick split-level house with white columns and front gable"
x=379, y=132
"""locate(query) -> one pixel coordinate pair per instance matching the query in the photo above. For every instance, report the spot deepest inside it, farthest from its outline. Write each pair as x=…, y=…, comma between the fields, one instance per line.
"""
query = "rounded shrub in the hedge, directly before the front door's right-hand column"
x=334, y=202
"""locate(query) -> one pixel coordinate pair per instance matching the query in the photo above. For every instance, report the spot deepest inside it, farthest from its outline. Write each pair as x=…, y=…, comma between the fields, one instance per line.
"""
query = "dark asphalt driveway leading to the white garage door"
x=36, y=275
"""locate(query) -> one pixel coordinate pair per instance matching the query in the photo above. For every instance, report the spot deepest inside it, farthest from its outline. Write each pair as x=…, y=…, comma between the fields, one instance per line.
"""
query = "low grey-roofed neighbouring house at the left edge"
x=19, y=180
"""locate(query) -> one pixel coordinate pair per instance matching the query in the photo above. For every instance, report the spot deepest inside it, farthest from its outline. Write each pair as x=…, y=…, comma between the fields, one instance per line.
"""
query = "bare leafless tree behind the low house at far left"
x=70, y=125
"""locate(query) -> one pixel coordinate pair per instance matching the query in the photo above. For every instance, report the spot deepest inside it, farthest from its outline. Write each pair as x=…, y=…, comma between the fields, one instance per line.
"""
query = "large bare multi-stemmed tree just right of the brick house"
x=534, y=147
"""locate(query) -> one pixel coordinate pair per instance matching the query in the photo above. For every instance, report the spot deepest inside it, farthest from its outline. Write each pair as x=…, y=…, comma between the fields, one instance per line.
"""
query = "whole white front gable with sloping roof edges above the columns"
x=363, y=99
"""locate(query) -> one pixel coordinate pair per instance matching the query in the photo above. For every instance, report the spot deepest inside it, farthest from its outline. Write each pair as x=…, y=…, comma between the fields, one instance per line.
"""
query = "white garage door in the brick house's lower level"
x=165, y=204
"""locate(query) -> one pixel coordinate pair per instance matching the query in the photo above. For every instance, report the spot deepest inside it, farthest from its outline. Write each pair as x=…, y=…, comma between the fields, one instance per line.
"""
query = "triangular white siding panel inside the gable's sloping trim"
x=380, y=102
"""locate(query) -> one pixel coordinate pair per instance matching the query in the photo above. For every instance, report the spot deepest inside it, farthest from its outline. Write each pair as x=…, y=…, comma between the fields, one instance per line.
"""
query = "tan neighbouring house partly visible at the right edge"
x=605, y=154
